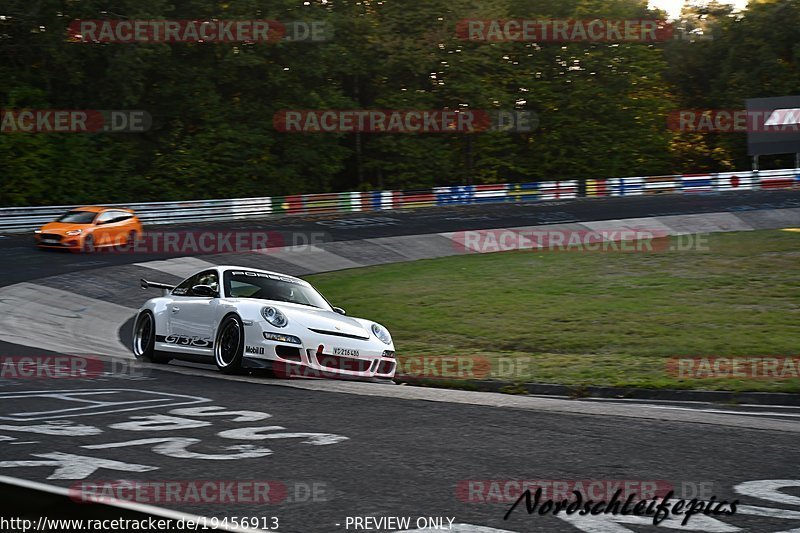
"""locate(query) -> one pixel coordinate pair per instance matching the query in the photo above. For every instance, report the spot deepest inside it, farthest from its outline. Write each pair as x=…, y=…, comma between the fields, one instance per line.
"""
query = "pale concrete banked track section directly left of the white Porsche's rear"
x=61, y=321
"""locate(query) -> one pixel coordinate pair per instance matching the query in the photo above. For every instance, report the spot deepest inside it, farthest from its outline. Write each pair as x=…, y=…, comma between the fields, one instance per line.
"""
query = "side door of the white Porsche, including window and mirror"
x=192, y=316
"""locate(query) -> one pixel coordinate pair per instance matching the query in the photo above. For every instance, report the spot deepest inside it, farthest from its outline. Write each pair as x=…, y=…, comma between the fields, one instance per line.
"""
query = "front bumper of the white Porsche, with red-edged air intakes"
x=367, y=359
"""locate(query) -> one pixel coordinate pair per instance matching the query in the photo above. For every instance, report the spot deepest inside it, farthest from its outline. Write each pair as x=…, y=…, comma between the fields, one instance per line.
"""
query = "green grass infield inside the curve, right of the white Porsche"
x=578, y=319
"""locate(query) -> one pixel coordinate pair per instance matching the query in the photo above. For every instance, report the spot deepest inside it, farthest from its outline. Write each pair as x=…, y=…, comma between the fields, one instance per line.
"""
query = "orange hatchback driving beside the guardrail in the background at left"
x=87, y=228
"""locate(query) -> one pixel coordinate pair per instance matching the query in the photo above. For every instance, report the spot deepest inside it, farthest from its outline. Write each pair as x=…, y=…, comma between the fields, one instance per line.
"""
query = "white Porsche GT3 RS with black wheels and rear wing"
x=247, y=318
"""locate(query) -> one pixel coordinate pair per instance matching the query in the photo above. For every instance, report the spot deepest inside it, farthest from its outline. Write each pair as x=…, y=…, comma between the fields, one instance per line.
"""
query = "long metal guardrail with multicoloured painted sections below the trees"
x=19, y=219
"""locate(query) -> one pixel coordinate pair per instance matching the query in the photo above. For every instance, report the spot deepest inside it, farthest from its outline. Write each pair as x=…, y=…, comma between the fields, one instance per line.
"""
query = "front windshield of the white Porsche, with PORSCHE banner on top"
x=262, y=286
